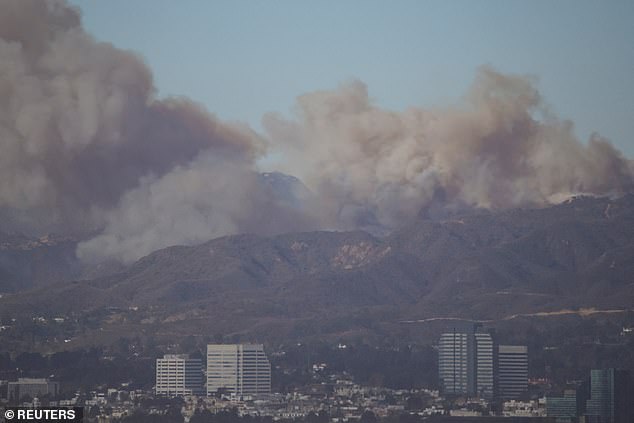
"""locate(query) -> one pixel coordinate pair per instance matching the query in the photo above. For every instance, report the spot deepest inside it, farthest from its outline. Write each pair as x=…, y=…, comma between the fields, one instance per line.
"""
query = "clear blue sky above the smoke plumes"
x=242, y=58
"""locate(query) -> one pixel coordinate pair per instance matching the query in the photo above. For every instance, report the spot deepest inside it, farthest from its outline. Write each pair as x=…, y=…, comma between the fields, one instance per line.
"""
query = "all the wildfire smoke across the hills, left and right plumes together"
x=86, y=147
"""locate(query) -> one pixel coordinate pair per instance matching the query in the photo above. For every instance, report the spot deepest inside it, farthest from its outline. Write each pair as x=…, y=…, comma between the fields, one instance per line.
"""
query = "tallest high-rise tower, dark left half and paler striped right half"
x=466, y=362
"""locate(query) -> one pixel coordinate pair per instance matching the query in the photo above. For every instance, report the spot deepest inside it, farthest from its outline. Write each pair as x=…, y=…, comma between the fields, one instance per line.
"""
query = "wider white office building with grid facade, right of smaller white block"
x=241, y=369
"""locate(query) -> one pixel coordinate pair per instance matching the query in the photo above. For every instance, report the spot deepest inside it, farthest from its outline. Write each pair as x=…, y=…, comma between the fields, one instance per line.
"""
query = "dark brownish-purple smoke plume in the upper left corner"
x=80, y=124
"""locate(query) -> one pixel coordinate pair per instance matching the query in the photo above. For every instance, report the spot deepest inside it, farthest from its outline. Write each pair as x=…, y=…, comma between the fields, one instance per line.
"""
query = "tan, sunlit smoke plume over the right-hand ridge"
x=369, y=165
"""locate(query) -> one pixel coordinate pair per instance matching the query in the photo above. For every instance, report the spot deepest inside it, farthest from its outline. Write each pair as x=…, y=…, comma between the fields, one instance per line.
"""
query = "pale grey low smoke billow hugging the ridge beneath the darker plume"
x=205, y=199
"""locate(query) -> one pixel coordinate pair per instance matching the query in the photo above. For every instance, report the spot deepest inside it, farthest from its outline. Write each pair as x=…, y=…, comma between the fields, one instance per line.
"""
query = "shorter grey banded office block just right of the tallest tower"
x=512, y=371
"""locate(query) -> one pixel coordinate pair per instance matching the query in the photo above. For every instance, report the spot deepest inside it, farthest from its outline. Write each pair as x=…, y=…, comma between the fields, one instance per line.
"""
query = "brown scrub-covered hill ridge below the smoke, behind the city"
x=480, y=265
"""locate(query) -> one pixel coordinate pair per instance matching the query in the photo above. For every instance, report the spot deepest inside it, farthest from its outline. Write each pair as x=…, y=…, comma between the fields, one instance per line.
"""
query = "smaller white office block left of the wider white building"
x=177, y=374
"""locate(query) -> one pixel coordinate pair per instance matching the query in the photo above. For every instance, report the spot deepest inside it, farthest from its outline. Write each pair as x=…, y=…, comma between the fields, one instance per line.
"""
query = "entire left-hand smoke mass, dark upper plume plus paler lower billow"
x=85, y=146
